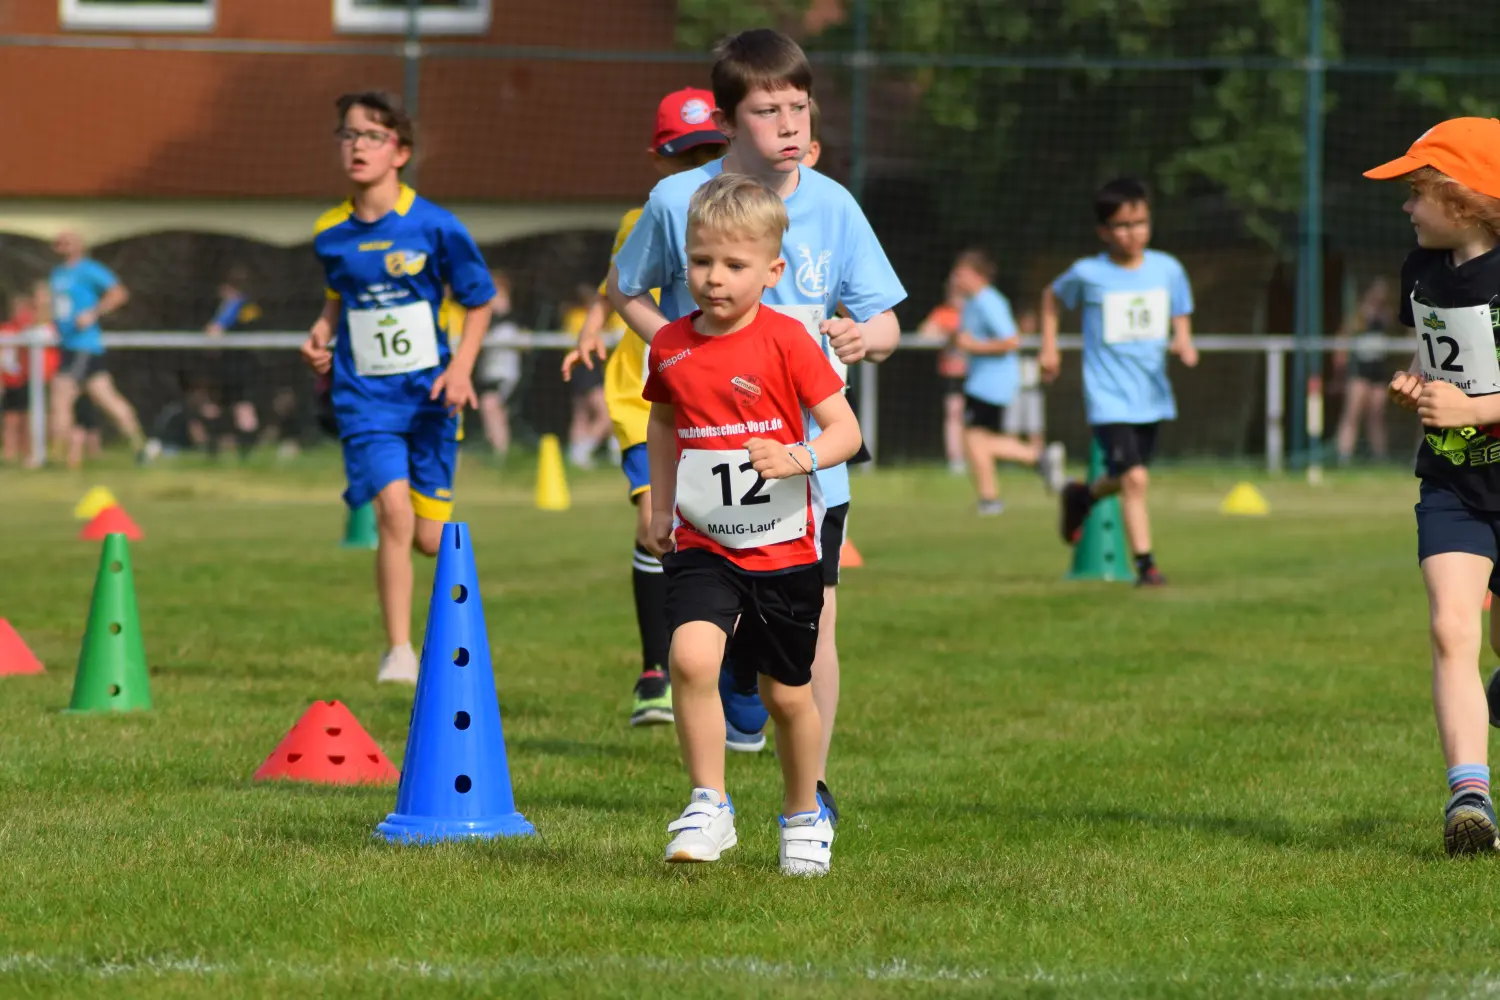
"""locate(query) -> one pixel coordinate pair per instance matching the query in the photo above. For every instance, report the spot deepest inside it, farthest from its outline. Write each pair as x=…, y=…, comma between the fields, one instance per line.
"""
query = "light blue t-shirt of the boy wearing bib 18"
x=1127, y=329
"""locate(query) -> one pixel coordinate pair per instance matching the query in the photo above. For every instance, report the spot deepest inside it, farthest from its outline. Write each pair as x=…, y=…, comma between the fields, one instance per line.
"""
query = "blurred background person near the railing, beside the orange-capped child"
x=1366, y=373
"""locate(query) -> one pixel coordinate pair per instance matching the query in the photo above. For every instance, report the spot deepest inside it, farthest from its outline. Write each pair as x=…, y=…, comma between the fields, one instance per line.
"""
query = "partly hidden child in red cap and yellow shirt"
x=685, y=140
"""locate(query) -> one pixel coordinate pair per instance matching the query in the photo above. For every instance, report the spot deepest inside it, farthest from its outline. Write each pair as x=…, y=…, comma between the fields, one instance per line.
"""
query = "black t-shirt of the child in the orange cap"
x=1462, y=460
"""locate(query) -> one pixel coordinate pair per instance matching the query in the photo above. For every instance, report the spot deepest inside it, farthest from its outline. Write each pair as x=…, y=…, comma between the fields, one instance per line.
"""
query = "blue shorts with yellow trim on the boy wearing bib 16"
x=425, y=458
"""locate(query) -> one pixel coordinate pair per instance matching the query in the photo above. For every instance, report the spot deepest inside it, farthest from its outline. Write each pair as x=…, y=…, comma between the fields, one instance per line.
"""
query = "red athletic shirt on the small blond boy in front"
x=755, y=383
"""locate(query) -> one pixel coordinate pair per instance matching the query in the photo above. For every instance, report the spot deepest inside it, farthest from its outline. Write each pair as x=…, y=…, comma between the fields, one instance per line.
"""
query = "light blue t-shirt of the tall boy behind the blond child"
x=832, y=257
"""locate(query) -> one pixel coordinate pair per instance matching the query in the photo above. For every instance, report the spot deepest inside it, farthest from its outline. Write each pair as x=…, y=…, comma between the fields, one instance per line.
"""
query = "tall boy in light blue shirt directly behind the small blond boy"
x=763, y=89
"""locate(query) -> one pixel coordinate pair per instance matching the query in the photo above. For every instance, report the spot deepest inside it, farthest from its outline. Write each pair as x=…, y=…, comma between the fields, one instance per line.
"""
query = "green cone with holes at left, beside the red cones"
x=112, y=665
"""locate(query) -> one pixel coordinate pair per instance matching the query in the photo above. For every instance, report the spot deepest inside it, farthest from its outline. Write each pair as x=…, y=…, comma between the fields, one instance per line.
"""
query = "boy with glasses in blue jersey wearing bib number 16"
x=398, y=385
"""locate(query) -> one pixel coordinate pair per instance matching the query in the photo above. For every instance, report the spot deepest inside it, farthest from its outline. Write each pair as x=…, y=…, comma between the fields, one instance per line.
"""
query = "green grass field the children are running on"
x=1229, y=788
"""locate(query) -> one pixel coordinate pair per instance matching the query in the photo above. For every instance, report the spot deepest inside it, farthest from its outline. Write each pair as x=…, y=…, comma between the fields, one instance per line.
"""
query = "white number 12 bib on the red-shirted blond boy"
x=721, y=496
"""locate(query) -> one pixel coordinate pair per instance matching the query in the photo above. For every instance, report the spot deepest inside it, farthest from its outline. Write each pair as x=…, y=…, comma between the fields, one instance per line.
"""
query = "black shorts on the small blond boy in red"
x=778, y=614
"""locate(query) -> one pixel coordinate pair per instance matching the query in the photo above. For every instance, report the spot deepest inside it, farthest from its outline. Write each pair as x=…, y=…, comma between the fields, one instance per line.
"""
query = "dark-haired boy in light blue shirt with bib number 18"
x=1138, y=308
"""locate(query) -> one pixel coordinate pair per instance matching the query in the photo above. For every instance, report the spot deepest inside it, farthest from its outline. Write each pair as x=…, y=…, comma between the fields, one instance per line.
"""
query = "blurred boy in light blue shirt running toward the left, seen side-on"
x=989, y=337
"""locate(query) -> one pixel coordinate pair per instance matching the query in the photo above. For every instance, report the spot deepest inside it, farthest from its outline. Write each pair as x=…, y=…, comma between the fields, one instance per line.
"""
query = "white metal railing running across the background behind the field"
x=1276, y=349
